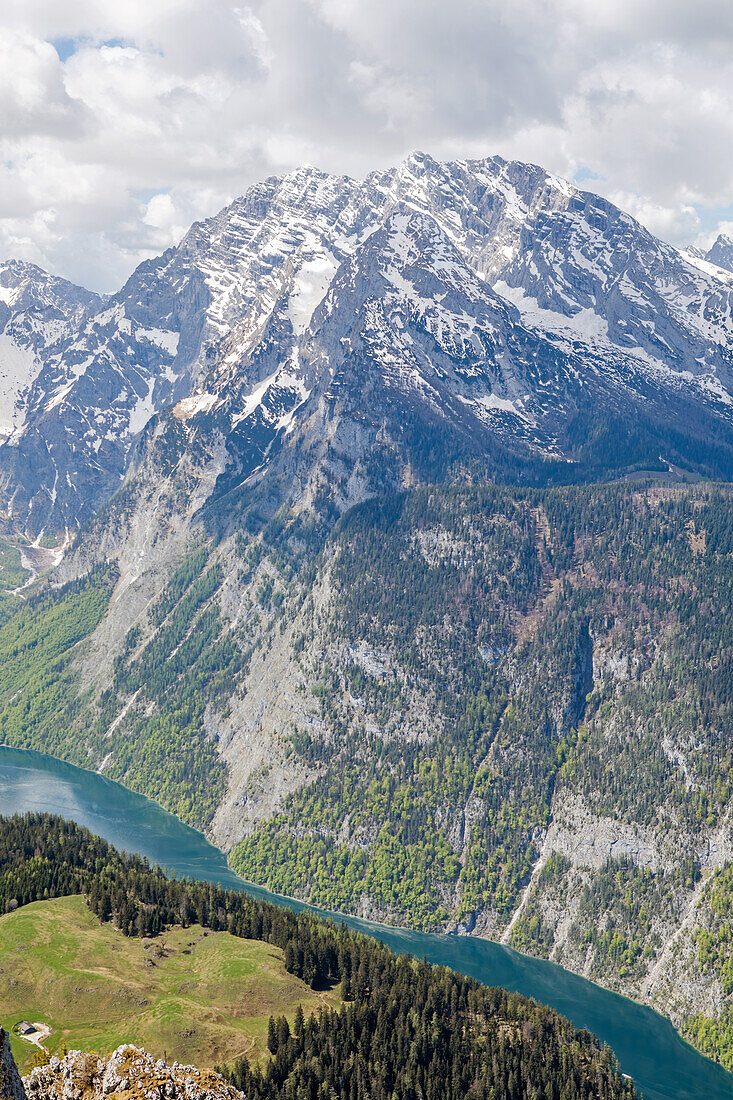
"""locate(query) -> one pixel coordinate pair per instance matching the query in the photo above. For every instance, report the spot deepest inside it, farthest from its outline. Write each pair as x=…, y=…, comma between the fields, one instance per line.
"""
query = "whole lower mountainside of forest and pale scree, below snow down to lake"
x=431, y=710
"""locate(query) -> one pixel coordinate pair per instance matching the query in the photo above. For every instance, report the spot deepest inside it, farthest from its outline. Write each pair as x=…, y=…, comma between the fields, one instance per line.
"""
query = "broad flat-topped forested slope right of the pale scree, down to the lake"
x=493, y=669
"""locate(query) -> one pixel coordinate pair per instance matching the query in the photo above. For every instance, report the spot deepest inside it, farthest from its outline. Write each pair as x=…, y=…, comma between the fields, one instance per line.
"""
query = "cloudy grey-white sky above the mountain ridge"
x=123, y=122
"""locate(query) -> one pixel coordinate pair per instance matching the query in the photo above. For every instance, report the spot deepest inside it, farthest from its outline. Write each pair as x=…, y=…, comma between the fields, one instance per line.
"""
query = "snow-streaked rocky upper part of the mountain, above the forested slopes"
x=475, y=311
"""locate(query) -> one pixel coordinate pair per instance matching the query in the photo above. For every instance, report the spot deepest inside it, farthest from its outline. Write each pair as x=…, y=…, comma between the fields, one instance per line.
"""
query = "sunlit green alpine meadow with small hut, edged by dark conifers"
x=202, y=997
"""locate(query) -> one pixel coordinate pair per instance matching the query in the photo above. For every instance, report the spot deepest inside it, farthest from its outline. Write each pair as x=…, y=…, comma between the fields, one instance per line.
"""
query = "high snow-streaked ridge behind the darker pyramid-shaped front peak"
x=205, y=324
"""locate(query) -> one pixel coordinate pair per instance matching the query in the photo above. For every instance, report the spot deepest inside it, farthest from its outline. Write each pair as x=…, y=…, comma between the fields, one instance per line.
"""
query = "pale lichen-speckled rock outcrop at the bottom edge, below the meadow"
x=128, y=1073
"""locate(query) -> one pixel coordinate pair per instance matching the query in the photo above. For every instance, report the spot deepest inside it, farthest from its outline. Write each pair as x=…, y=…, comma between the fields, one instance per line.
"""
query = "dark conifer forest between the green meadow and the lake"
x=408, y=1030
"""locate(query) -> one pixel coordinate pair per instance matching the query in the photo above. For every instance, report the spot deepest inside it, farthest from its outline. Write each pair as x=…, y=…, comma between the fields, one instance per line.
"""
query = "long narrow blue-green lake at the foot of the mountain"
x=648, y=1047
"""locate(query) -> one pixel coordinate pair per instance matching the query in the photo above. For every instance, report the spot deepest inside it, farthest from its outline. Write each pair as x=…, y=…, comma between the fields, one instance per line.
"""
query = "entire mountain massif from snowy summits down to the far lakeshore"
x=384, y=531
